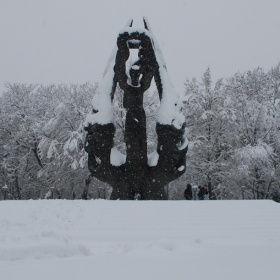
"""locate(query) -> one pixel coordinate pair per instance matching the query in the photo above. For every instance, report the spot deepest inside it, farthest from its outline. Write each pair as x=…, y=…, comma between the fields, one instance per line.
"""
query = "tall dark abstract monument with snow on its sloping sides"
x=131, y=176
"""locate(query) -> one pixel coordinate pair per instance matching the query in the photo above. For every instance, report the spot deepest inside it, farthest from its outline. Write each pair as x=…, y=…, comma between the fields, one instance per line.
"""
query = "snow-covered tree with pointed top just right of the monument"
x=210, y=121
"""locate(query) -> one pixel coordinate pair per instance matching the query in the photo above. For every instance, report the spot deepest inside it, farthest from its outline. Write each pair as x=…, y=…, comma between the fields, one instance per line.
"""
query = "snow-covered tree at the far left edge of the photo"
x=21, y=119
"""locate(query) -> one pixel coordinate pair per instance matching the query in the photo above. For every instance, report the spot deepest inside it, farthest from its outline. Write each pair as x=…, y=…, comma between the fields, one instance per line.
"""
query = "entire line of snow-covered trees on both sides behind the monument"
x=232, y=127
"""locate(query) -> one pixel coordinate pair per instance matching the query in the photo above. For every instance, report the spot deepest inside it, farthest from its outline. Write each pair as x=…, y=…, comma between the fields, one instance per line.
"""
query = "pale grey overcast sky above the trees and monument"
x=60, y=41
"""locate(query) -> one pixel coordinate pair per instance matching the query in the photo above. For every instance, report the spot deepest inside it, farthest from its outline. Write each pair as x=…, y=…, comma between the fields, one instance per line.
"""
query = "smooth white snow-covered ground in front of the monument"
x=99, y=239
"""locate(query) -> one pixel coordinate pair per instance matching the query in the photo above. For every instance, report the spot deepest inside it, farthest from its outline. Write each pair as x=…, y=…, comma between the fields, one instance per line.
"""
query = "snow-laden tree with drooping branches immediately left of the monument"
x=62, y=142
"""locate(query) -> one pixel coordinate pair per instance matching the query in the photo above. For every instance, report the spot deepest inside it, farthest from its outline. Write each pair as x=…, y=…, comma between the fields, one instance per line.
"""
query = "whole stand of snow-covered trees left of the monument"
x=43, y=139
